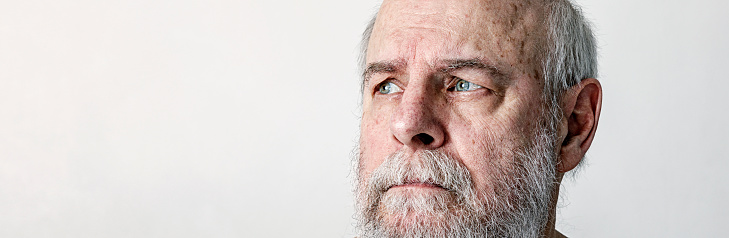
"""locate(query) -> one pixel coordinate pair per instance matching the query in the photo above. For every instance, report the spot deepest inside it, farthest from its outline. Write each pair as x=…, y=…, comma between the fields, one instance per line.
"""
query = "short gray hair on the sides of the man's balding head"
x=569, y=53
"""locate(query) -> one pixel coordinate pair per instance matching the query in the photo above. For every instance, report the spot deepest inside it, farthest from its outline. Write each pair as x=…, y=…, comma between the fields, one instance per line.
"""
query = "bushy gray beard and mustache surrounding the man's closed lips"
x=517, y=204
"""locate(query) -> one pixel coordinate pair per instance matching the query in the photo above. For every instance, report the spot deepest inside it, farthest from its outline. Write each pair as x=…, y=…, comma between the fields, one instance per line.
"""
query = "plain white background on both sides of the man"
x=163, y=118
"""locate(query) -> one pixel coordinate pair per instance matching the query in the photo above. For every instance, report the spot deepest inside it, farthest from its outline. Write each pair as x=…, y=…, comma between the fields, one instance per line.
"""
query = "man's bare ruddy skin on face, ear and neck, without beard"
x=416, y=48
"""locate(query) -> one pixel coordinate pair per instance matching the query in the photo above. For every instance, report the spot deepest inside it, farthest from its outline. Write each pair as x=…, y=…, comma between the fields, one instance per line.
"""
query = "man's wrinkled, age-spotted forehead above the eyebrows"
x=500, y=31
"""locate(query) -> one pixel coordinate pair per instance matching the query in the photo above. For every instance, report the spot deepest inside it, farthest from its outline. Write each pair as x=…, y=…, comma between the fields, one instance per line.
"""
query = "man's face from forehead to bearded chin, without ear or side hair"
x=452, y=90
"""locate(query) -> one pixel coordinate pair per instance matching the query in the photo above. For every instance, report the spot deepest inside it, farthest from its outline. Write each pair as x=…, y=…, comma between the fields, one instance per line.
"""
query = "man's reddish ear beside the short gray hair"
x=581, y=107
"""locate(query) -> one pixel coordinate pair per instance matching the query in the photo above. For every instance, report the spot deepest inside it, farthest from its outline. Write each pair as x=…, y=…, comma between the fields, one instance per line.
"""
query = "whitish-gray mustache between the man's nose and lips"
x=430, y=167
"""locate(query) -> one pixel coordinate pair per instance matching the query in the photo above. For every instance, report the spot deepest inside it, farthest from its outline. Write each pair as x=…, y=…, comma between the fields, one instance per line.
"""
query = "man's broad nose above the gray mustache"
x=415, y=122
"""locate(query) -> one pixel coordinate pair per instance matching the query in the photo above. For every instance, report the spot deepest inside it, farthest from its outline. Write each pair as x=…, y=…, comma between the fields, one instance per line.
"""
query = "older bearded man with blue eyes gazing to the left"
x=473, y=111
